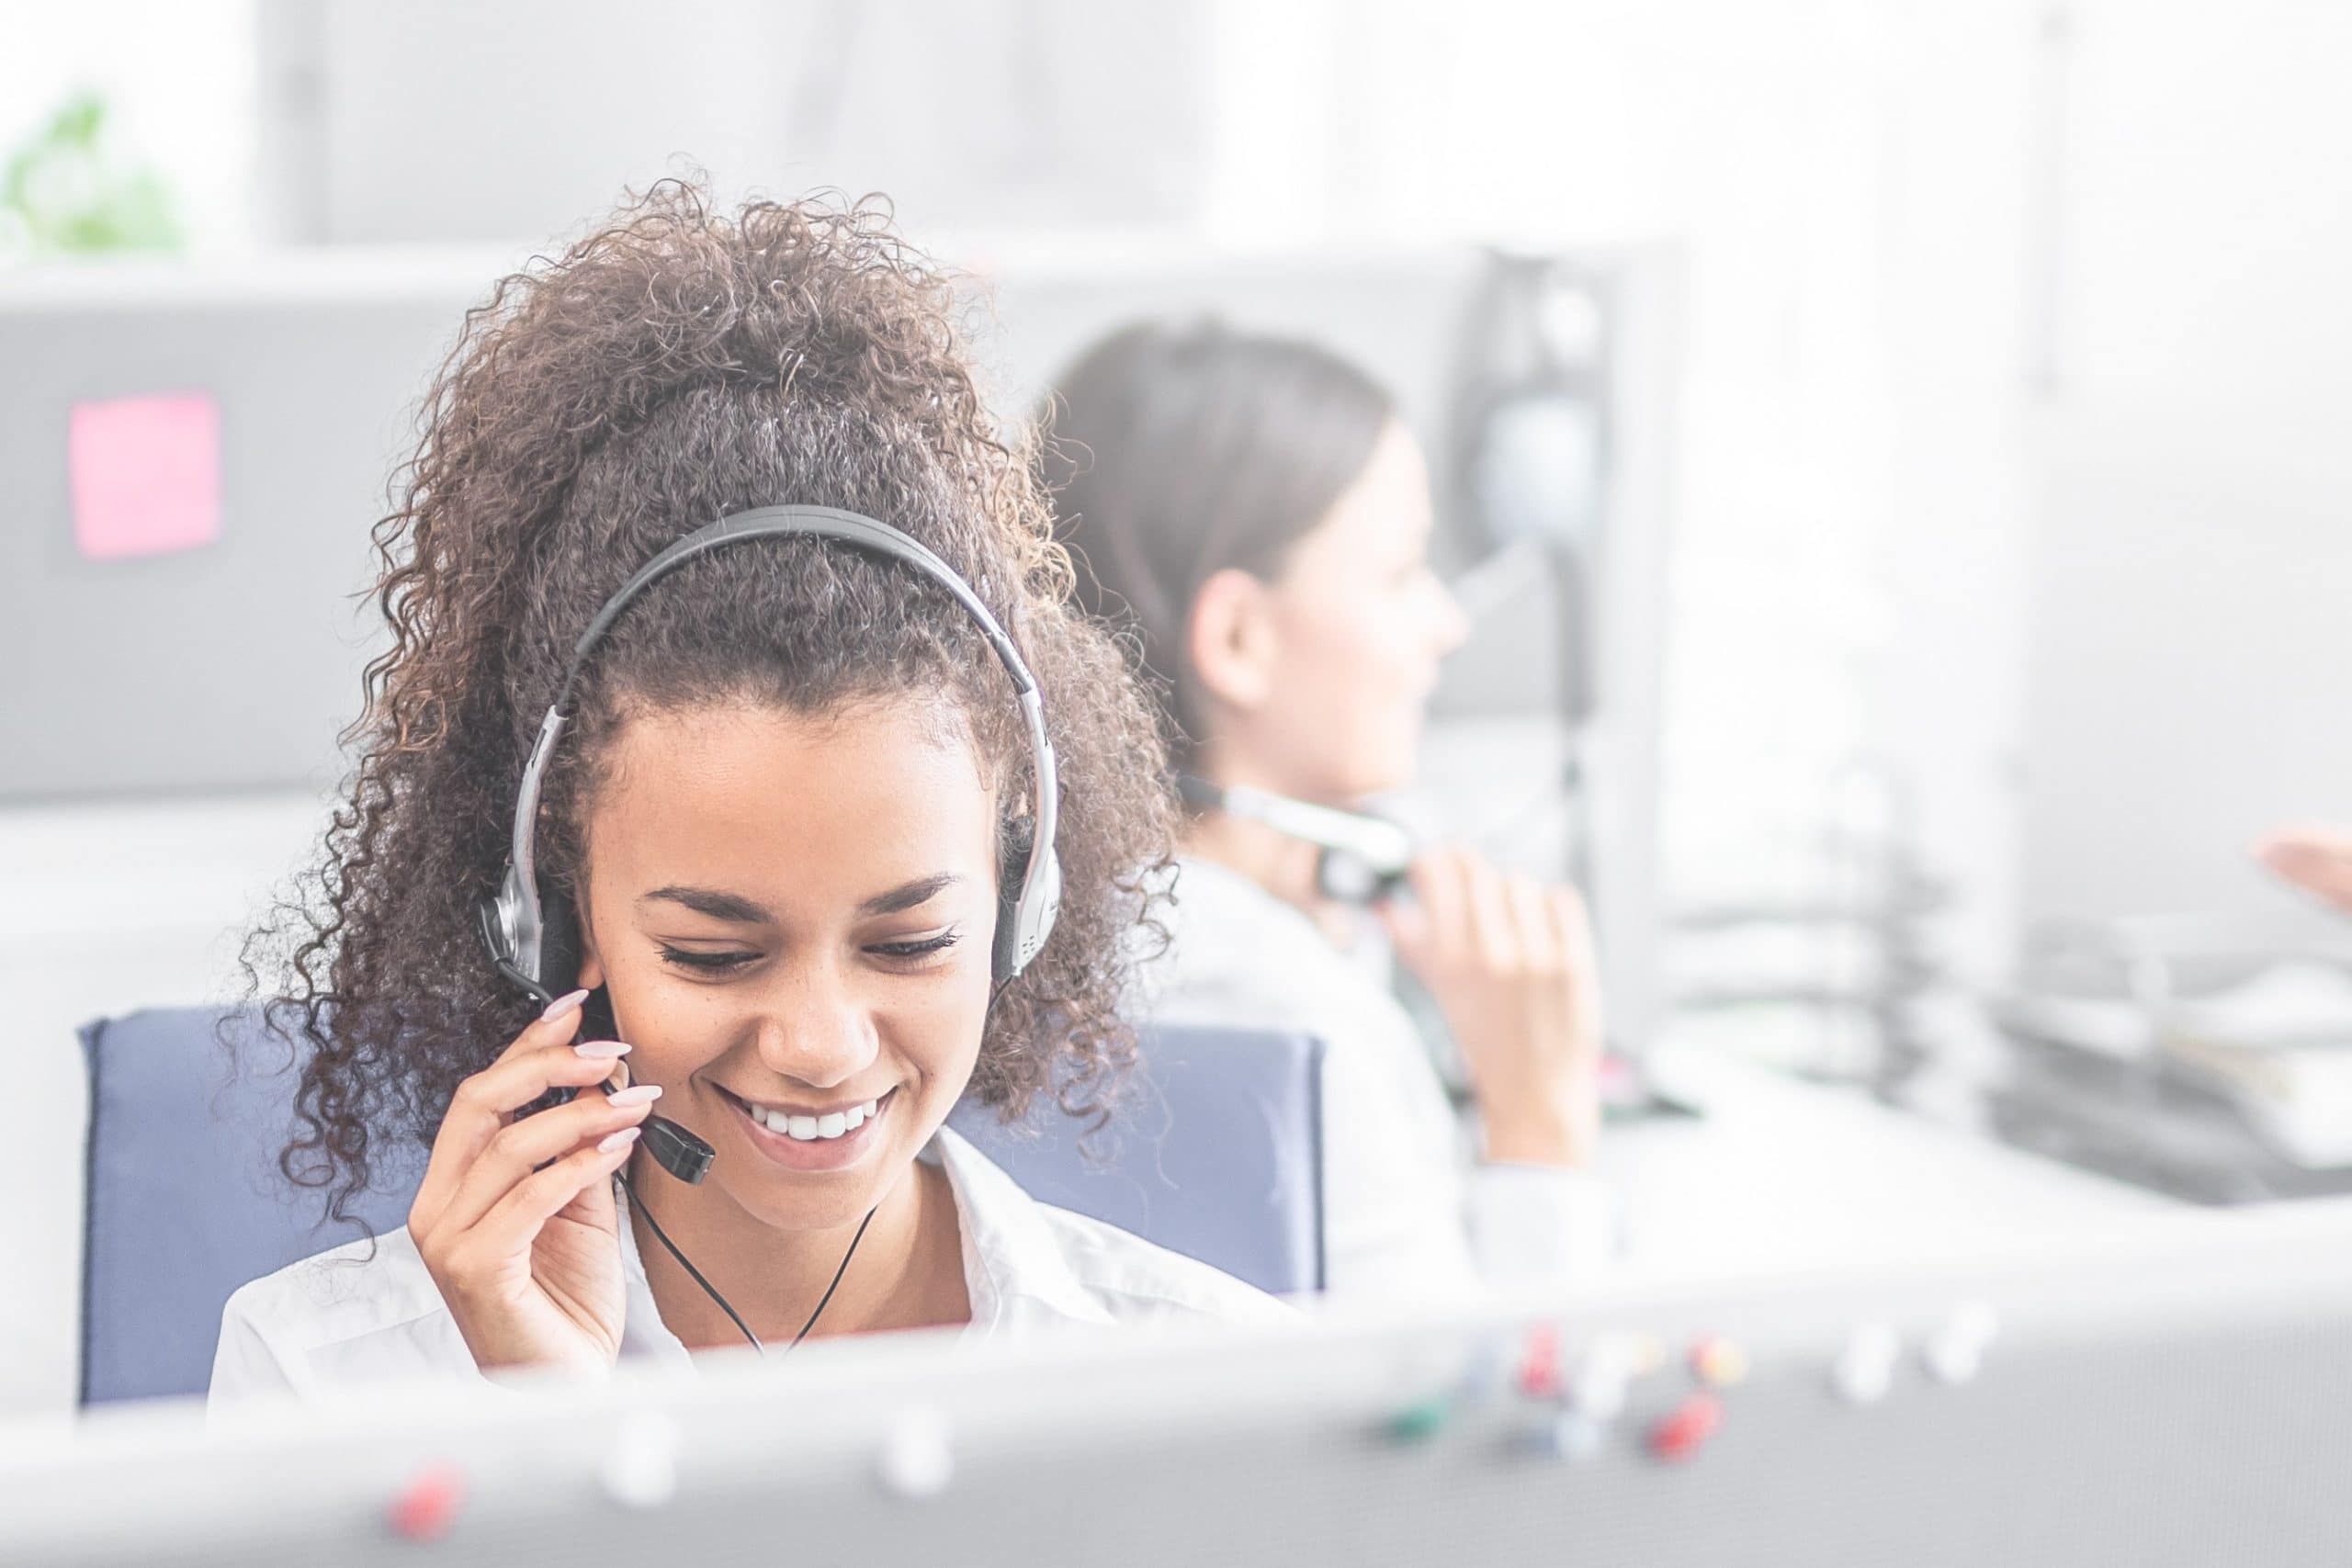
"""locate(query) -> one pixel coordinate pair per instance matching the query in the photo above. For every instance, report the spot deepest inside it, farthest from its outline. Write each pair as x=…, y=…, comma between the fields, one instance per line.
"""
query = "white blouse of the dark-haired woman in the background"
x=1408, y=1207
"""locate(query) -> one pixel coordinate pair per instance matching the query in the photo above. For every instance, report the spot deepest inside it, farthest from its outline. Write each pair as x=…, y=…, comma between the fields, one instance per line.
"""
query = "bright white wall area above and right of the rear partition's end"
x=1850, y=187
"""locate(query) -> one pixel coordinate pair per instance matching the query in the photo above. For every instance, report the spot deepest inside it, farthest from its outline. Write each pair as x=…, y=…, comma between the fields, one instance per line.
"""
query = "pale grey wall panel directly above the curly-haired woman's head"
x=450, y=121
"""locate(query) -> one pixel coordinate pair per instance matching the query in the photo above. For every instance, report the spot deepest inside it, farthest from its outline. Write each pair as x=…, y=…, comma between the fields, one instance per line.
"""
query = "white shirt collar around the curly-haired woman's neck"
x=1015, y=1266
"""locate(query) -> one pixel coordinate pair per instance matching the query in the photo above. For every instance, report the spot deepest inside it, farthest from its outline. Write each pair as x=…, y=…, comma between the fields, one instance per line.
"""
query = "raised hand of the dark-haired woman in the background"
x=1511, y=965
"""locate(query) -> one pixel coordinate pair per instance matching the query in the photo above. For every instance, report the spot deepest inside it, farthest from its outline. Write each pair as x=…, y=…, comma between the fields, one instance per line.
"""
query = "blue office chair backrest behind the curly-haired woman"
x=1217, y=1155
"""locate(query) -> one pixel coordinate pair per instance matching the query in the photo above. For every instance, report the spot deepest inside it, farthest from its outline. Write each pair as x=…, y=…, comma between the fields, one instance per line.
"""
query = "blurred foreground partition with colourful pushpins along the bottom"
x=2165, y=1395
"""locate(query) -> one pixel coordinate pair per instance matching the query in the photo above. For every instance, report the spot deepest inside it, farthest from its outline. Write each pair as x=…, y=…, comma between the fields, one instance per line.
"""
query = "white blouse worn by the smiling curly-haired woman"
x=349, y=1318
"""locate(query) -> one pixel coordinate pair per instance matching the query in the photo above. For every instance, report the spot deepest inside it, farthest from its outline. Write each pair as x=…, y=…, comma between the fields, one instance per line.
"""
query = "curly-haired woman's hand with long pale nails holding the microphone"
x=516, y=1219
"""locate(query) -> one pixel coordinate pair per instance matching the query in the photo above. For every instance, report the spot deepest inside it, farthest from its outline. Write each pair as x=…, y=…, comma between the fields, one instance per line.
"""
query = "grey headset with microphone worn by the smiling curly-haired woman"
x=533, y=932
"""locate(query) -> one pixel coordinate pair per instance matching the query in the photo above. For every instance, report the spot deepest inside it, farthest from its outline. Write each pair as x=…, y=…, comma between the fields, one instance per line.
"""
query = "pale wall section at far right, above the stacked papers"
x=2193, y=563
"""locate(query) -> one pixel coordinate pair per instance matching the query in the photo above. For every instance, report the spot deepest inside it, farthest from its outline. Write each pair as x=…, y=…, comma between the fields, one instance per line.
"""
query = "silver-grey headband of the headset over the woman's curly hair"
x=516, y=920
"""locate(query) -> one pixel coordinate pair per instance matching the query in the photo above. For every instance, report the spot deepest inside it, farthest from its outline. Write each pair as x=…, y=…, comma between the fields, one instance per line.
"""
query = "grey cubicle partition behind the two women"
x=234, y=666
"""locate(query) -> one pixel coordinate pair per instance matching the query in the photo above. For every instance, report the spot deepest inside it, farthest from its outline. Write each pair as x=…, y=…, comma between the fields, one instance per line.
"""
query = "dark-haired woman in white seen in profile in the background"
x=1259, y=516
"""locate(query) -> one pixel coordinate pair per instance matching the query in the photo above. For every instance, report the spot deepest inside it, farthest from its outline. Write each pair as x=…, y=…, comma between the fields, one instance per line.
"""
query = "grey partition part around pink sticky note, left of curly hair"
x=234, y=664
